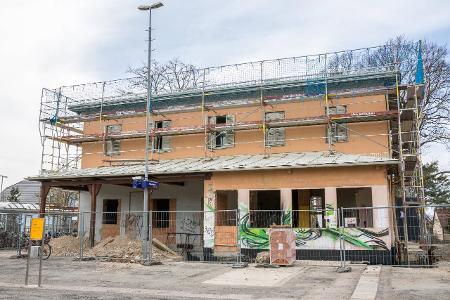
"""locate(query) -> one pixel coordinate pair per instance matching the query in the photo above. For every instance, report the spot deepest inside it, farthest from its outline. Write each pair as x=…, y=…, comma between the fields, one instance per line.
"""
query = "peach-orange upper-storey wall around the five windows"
x=363, y=138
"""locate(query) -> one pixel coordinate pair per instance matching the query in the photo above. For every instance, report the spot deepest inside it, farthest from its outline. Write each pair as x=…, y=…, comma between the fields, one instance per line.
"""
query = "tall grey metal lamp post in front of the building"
x=146, y=254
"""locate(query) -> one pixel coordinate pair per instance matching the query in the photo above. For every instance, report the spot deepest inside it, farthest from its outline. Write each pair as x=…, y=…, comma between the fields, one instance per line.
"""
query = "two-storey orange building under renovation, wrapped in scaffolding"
x=283, y=141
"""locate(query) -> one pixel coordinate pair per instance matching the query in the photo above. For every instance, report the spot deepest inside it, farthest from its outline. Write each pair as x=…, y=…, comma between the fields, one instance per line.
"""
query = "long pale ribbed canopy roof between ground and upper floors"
x=225, y=163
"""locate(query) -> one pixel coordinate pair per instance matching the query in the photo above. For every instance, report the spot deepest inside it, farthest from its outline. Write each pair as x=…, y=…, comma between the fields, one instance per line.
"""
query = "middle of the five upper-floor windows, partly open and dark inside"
x=221, y=138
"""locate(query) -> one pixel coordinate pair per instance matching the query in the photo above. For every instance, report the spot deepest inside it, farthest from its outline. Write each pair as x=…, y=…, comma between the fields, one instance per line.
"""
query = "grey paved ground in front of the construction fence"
x=64, y=278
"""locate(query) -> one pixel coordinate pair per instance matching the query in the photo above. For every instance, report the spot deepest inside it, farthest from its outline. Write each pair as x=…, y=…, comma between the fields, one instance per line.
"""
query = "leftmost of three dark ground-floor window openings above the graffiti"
x=265, y=208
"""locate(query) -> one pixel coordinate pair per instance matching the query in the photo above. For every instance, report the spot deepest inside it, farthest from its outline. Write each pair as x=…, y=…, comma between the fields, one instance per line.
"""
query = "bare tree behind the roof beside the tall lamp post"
x=170, y=77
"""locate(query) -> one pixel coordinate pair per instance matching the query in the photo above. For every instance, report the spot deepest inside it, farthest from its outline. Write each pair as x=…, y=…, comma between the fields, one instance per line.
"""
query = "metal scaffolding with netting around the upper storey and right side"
x=325, y=77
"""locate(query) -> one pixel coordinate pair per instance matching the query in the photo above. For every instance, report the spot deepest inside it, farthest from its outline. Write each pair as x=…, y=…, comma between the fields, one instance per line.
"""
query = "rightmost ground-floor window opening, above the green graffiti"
x=357, y=204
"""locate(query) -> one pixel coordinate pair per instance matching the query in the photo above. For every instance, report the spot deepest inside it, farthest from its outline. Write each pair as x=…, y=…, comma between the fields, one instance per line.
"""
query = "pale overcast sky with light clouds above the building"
x=49, y=43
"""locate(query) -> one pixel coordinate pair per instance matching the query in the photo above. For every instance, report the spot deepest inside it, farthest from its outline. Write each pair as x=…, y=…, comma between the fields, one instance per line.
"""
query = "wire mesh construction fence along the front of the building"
x=408, y=236
